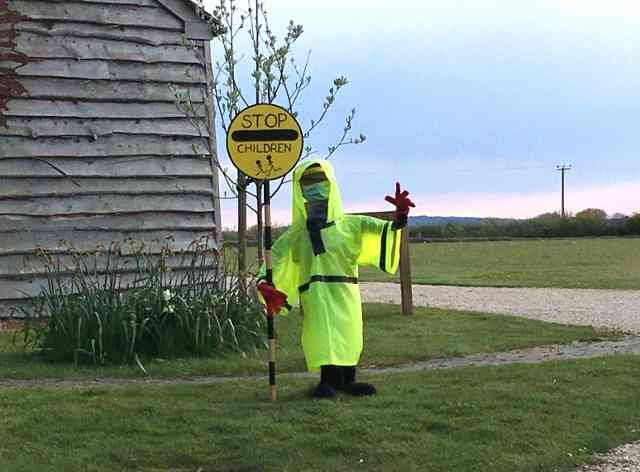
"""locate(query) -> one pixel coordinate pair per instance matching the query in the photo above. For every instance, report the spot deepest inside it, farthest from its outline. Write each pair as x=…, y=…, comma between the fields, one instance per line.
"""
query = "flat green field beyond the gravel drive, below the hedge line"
x=577, y=263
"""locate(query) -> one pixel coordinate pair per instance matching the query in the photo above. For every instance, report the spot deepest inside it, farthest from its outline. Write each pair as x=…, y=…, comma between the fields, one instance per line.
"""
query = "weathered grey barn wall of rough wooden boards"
x=93, y=148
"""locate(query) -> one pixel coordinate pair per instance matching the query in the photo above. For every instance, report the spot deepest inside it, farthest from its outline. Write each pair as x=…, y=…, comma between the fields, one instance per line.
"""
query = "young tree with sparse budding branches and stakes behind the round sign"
x=275, y=76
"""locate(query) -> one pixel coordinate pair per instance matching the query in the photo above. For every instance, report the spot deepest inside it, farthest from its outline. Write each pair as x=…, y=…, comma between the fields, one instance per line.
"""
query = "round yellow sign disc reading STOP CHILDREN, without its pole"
x=264, y=141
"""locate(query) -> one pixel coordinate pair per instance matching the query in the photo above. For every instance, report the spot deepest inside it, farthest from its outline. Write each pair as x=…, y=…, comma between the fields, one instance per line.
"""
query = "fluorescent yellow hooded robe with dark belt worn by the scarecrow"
x=326, y=284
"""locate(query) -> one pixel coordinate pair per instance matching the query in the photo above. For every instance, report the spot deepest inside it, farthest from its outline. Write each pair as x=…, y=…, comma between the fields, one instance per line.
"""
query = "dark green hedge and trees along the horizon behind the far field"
x=589, y=222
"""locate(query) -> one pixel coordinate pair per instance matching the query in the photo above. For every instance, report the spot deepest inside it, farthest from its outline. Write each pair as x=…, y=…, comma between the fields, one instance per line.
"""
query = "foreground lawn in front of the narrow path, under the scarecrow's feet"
x=525, y=418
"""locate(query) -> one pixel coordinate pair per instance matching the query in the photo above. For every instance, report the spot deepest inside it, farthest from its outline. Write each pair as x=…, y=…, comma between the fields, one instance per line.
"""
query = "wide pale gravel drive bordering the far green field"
x=618, y=309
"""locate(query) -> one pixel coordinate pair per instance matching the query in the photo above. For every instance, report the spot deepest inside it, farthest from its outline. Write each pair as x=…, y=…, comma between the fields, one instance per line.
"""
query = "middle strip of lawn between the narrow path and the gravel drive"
x=390, y=338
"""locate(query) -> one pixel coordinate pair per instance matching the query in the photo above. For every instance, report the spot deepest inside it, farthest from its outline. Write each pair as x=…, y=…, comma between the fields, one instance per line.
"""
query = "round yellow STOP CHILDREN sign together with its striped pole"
x=265, y=142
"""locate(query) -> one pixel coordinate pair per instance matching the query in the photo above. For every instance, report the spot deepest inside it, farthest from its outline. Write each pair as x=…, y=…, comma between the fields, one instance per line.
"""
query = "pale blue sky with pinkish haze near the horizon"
x=471, y=104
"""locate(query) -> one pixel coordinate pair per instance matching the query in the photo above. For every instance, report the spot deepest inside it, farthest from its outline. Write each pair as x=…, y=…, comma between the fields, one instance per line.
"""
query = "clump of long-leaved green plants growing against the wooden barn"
x=115, y=306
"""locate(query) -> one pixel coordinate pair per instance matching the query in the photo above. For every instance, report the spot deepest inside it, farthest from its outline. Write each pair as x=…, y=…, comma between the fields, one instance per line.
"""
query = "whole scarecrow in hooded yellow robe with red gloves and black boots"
x=315, y=263
